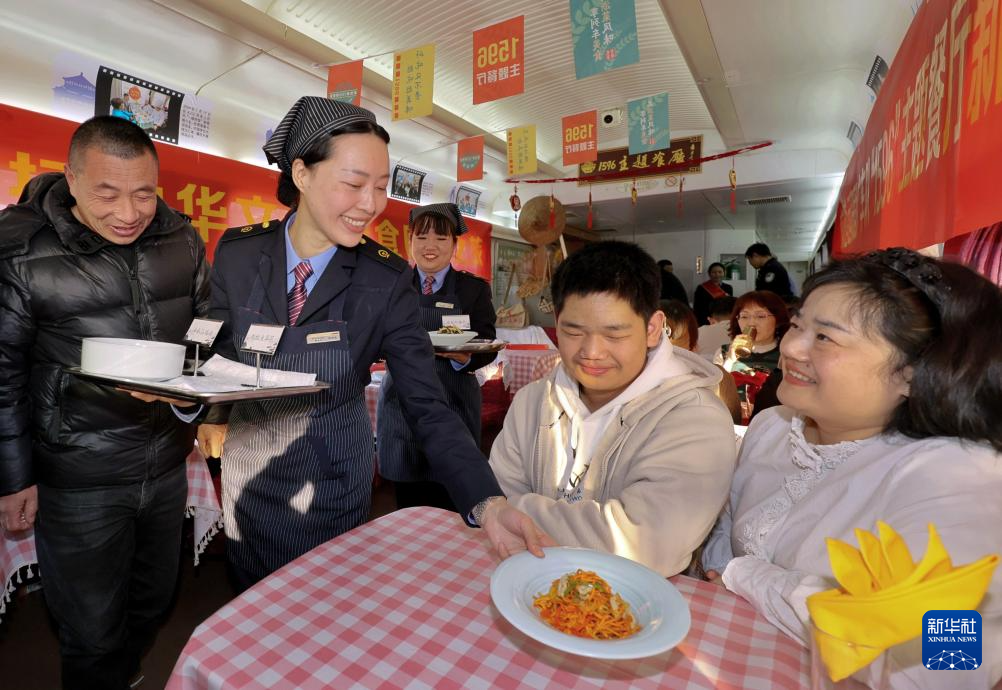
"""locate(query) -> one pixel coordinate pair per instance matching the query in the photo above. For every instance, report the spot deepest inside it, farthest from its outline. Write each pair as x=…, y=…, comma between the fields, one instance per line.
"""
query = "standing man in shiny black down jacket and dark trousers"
x=96, y=253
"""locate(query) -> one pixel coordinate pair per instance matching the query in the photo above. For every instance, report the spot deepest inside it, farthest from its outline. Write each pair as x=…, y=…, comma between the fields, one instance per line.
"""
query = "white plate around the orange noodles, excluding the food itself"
x=657, y=605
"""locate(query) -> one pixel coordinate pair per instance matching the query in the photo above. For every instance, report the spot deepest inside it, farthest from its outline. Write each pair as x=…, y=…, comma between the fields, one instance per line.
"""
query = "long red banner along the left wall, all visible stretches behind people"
x=218, y=194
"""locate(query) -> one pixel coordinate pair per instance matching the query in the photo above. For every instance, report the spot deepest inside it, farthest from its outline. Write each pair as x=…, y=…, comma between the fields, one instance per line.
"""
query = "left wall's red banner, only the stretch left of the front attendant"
x=218, y=194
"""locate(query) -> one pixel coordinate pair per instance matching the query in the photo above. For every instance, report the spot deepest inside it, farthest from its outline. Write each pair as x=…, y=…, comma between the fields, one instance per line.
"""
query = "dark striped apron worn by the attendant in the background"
x=400, y=458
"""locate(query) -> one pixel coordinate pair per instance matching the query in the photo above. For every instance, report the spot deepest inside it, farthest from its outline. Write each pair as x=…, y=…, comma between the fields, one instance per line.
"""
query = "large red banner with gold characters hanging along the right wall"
x=926, y=168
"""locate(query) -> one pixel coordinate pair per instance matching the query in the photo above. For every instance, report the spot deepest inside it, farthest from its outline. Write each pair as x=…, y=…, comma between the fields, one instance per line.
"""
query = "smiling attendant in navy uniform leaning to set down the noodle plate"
x=298, y=472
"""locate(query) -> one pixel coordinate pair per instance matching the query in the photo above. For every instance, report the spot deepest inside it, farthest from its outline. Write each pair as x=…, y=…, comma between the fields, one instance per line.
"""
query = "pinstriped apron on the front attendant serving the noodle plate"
x=297, y=472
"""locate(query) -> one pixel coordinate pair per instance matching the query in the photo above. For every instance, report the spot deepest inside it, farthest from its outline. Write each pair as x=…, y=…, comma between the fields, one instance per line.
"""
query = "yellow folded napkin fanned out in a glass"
x=884, y=595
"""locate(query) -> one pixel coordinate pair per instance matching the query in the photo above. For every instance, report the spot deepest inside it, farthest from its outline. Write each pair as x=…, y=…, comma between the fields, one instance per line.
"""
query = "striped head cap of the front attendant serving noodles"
x=310, y=120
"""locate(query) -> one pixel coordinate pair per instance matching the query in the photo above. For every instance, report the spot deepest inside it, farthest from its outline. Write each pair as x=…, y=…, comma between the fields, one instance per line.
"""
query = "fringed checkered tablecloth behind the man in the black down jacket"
x=18, y=551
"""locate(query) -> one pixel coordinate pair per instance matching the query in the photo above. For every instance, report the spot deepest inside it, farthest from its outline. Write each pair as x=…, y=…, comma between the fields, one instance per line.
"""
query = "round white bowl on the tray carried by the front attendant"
x=125, y=358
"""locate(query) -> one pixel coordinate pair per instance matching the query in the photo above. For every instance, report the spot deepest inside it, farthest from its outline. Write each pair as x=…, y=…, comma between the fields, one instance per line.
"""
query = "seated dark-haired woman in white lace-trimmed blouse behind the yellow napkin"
x=892, y=410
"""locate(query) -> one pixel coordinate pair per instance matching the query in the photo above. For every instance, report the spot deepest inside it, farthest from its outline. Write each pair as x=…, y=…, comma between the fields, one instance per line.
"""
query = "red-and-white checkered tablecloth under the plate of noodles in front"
x=404, y=602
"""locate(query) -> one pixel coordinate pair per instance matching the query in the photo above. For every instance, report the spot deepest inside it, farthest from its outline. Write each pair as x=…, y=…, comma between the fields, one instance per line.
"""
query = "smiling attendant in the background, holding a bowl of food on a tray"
x=444, y=292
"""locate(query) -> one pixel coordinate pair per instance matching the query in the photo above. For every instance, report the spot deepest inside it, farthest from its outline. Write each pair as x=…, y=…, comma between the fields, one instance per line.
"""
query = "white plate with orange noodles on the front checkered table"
x=591, y=603
